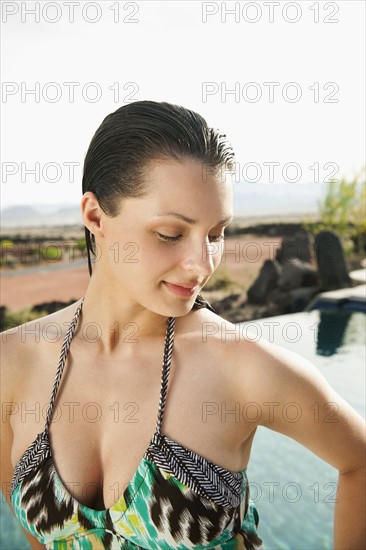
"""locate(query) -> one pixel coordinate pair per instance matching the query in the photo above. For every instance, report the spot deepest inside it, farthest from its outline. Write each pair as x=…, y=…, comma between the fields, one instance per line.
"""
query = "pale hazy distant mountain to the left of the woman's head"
x=32, y=216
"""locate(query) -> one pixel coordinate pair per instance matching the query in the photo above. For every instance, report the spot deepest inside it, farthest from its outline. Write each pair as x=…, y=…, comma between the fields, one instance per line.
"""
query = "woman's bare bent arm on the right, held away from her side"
x=325, y=424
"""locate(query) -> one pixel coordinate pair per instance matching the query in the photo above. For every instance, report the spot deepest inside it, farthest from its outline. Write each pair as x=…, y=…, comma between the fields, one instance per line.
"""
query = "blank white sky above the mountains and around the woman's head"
x=284, y=80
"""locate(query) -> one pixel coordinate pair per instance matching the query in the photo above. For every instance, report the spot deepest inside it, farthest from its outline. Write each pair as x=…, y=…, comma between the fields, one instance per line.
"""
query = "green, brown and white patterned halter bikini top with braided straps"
x=176, y=499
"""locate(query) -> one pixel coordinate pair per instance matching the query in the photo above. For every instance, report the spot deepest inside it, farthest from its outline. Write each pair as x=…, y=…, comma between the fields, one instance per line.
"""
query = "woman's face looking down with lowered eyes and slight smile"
x=162, y=248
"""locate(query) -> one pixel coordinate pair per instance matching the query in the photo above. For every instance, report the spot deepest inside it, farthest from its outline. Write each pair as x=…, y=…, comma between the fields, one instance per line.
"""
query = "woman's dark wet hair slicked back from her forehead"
x=133, y=136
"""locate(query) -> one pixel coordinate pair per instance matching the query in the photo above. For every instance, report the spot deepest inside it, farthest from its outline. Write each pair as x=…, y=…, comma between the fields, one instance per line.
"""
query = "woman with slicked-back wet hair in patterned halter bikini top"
x=134, y=456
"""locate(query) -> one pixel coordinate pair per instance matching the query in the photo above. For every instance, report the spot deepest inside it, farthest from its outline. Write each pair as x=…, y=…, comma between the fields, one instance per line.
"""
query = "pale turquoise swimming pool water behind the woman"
x=293, y=489
